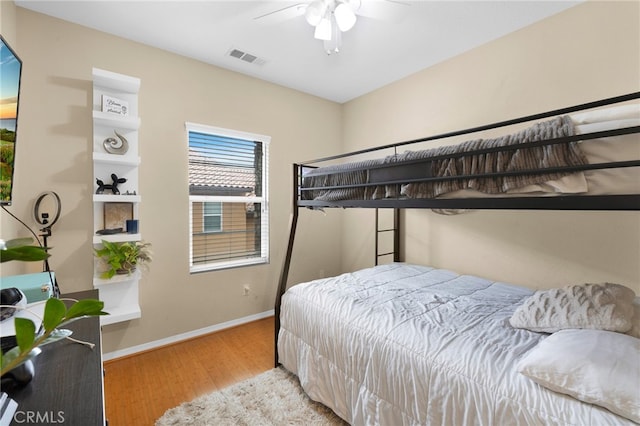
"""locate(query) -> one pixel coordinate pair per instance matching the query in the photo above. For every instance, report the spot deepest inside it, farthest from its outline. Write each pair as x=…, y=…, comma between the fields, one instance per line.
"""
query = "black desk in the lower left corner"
x=67, y=387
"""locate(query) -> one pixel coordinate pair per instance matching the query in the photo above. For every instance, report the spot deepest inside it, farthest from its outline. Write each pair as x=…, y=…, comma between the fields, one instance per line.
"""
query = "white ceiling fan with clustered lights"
x=333, y=17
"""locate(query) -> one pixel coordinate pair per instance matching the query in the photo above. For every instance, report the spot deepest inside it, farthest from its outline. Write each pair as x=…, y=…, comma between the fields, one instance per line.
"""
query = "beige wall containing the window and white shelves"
x=54, y=153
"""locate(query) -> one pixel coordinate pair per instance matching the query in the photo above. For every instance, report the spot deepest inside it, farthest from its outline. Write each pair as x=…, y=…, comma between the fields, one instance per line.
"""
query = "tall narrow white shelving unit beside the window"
x=120, y=294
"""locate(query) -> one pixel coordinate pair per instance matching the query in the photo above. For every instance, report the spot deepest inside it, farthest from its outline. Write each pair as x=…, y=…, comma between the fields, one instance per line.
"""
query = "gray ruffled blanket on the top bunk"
x=556, y=155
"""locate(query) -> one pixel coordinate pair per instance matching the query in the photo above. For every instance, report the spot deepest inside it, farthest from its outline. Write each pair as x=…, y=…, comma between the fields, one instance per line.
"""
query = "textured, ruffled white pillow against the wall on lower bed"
x=596, y=306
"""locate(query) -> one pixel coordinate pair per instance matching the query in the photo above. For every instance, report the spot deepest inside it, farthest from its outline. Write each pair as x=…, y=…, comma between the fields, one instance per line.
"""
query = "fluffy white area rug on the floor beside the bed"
x=271, y=398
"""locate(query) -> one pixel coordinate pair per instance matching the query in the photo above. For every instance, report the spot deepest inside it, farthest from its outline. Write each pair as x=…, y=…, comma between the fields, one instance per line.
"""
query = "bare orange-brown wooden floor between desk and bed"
x=140, y=388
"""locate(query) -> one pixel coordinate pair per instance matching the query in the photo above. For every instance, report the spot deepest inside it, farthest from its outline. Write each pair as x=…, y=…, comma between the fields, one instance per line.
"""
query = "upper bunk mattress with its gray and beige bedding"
x=591, y=182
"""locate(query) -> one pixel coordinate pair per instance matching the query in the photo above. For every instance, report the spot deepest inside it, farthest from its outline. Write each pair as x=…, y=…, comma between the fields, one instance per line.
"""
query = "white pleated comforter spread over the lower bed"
x=404, y=344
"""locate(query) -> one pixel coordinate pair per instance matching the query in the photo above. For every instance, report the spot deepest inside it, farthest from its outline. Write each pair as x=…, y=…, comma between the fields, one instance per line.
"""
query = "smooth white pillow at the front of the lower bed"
x=594, y=366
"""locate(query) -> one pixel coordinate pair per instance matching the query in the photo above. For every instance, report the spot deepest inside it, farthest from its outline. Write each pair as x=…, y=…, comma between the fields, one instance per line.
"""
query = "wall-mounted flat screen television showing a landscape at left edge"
x=10, y=70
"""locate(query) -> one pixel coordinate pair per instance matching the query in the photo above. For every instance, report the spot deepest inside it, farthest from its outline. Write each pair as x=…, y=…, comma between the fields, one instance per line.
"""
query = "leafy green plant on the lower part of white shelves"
x=123, y=258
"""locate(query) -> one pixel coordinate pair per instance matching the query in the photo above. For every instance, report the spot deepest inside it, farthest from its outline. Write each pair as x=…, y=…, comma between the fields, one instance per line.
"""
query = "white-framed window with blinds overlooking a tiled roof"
x=228, y=204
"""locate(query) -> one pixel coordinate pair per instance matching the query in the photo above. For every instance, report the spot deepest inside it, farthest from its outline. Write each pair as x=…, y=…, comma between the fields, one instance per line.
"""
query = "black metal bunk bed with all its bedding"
x=411, y=344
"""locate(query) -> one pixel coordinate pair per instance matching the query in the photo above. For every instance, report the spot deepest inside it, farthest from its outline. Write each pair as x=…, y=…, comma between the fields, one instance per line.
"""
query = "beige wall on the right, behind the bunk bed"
x=586, y=53
